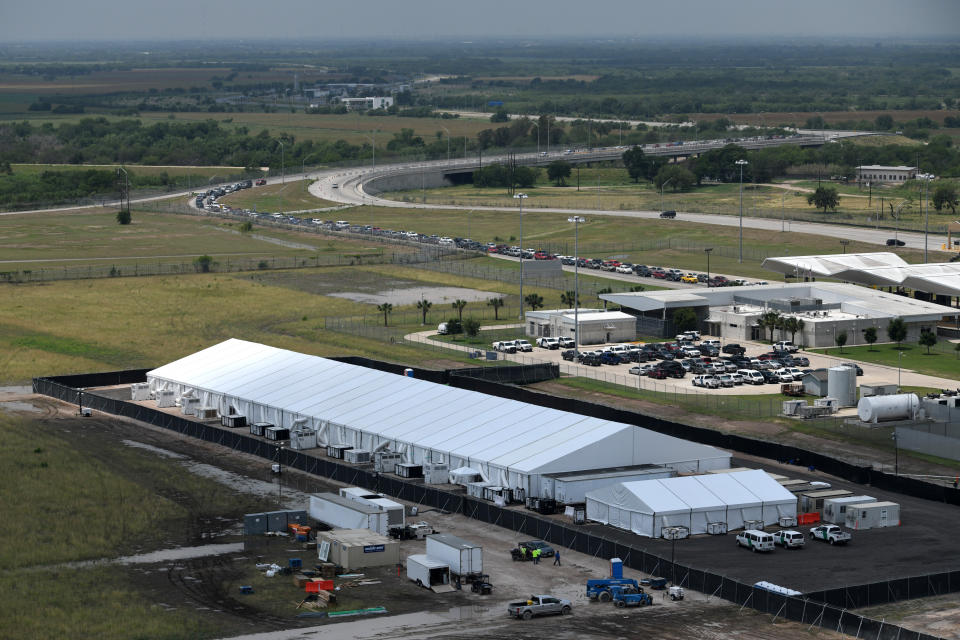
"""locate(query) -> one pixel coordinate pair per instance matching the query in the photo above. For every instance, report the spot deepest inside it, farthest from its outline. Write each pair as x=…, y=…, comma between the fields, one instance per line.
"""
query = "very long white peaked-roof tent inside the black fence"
x=511, y=443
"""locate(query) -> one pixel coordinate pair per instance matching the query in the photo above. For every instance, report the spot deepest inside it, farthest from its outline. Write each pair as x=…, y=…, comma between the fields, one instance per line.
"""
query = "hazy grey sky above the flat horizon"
x=26, y=20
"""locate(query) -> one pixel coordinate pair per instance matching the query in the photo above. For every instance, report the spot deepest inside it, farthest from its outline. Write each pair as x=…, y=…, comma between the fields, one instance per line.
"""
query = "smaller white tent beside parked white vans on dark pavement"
x=645, y=507
